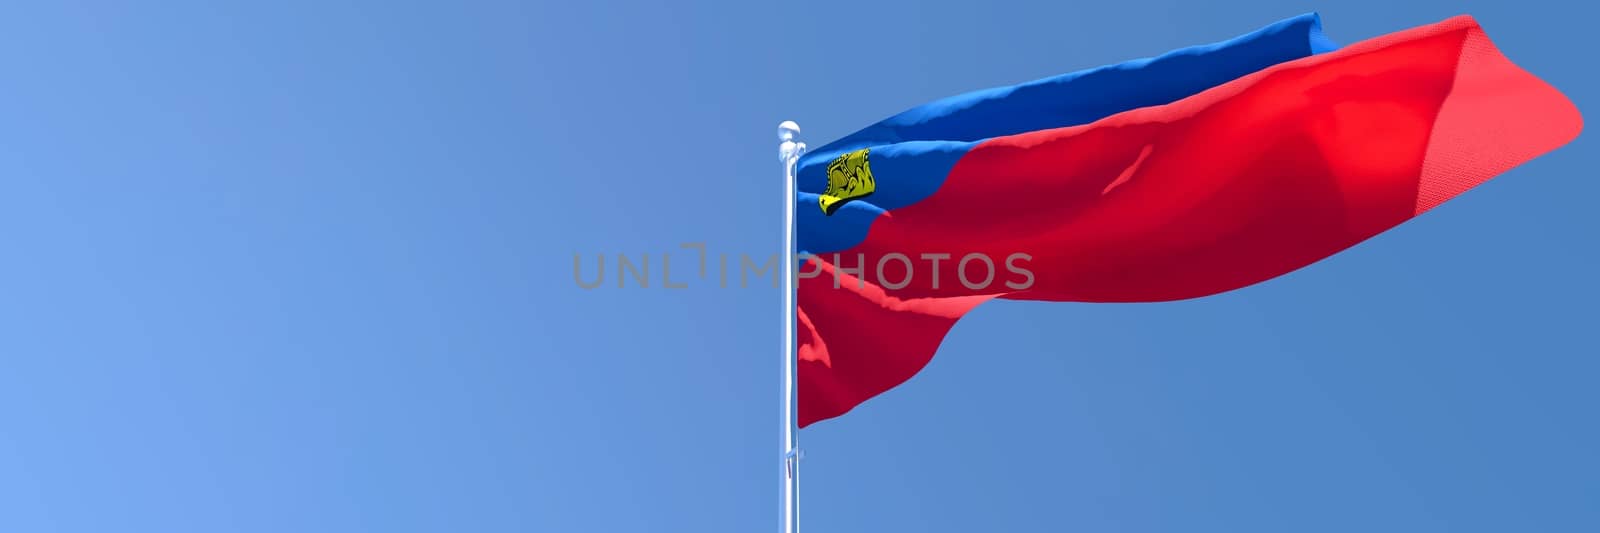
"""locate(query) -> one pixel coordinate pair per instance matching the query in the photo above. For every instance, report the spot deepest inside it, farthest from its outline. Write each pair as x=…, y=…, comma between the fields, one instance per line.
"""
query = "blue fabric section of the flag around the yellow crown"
x=914, y=151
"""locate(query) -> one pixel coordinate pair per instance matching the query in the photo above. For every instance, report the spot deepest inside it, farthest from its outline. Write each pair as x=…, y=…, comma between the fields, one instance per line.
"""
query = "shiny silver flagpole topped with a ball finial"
x=790, y=151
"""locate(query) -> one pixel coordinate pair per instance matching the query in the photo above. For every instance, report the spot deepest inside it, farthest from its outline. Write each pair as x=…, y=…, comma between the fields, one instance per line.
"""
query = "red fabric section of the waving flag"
x=1228, y=188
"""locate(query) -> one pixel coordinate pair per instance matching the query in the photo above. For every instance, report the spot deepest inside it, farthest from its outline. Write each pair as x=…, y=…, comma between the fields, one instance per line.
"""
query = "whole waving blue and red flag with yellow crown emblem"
x=1180, y=177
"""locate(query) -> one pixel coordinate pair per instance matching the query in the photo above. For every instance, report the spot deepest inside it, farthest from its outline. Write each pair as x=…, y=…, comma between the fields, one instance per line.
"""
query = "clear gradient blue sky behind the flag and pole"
x=306, y=266
